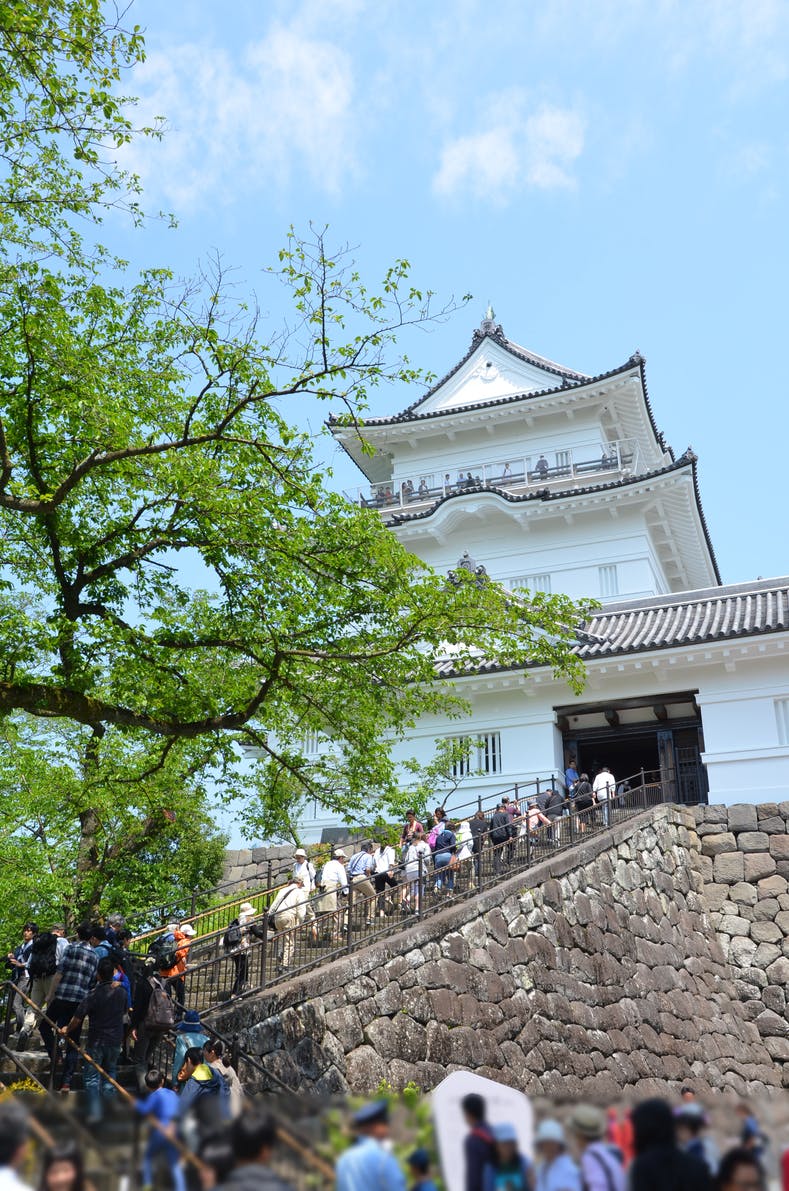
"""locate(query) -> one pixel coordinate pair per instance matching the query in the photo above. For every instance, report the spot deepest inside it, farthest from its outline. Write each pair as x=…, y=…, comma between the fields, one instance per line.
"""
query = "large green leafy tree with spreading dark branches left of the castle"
x=178, y=581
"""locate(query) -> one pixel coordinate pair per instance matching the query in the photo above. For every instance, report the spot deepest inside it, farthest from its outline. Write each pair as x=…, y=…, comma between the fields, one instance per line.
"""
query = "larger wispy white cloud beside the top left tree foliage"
x=245, y=126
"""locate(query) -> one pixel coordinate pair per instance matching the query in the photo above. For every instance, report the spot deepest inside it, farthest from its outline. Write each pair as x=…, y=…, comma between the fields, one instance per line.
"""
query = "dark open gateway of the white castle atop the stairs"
x=661, y=735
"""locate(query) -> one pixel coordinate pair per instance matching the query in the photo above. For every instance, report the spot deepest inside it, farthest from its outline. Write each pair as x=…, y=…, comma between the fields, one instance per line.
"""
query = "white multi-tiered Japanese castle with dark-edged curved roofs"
x=563, y=483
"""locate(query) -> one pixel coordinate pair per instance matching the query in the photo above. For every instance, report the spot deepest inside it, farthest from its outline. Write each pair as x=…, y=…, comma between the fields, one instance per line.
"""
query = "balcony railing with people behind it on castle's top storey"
x=568, y=469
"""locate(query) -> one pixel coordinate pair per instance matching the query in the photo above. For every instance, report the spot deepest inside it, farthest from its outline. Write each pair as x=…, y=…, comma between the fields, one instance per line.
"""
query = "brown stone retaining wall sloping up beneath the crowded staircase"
x=599, y=974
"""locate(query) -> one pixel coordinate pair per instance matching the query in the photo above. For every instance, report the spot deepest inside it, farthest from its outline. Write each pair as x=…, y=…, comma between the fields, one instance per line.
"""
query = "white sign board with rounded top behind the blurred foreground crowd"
x=504, y=1106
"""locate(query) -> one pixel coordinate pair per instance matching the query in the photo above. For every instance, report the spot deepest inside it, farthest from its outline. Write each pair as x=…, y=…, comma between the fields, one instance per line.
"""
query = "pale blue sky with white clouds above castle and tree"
x=612, y=174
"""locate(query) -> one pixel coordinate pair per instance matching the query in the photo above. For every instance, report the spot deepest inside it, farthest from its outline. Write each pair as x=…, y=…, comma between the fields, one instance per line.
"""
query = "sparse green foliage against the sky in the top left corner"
x=65, y=121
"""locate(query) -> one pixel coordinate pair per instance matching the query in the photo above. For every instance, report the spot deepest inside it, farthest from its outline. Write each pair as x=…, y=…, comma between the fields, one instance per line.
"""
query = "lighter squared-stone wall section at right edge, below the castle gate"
x=745, y=865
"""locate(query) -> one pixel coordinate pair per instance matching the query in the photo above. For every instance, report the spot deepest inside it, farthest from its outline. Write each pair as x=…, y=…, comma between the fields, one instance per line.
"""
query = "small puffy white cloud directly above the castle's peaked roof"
x=519, y=149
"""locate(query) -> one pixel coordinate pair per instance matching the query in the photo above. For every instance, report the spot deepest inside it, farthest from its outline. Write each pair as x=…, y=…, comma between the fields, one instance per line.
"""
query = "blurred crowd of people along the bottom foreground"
x=655, y=1148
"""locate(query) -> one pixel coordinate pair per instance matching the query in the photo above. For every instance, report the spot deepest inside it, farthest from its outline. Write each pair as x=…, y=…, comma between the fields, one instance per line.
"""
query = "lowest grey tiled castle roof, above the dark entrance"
x=670, y=622
